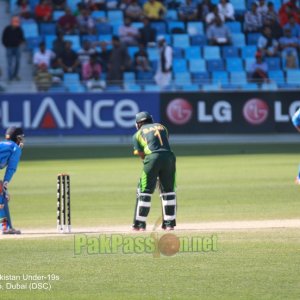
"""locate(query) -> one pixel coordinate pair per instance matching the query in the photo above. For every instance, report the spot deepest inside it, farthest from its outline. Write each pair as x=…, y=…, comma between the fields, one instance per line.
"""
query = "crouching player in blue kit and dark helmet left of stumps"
x=10, y=154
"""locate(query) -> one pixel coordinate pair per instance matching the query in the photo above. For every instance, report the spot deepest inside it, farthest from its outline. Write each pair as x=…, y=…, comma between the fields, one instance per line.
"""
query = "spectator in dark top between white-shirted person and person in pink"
x=68, y=60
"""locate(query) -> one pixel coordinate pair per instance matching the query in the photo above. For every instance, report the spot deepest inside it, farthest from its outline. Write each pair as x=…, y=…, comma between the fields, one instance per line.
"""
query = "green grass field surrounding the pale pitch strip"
x=215, y=183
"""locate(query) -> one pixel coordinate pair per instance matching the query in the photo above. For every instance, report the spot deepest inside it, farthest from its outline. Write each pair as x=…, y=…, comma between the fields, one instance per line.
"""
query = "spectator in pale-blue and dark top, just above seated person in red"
x=267, y=45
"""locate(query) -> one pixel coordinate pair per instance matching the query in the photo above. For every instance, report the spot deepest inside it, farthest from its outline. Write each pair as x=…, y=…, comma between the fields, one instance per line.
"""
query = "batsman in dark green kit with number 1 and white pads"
x=151, y=143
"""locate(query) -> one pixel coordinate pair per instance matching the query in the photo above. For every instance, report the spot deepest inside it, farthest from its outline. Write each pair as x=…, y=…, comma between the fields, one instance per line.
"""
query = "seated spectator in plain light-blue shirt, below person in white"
x=218, y=34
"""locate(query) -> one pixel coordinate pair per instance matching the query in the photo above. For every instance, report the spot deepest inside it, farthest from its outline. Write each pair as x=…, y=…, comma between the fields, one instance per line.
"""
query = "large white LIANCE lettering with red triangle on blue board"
x=89, y=114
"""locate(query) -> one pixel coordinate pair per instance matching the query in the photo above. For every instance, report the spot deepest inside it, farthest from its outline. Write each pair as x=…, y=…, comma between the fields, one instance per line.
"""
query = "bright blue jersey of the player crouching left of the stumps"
x=10, y=154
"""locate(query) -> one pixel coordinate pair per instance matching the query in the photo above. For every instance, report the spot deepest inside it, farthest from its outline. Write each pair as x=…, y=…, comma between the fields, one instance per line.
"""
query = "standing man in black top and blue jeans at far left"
x=12, y=39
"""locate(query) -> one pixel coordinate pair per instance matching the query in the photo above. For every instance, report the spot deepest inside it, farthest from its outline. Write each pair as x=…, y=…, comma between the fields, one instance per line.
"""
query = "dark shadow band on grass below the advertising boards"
x=90, y=152
